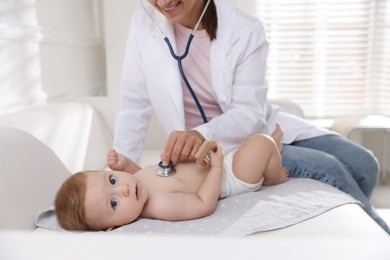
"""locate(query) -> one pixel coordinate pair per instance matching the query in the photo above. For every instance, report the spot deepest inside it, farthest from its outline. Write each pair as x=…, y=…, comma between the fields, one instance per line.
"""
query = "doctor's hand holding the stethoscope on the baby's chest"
x=181, y=146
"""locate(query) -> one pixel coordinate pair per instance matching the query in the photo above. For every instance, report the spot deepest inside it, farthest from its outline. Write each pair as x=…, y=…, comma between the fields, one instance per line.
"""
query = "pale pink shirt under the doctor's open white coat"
x=198, y=72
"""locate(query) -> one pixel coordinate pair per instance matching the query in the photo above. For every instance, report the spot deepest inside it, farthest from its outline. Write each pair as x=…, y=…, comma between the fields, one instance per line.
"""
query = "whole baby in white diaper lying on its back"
x=103, y=200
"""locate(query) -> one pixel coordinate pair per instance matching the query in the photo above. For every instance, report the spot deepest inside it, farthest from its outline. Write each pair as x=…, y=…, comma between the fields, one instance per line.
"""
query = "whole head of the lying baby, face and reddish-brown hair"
x=99, y=200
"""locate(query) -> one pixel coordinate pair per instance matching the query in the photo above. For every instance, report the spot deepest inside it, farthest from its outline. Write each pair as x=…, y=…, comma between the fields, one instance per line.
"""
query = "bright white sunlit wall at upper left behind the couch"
x=49, y=49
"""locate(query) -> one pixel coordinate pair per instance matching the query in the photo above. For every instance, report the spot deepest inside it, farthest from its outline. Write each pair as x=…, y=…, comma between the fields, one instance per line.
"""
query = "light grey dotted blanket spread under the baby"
x=270, y=208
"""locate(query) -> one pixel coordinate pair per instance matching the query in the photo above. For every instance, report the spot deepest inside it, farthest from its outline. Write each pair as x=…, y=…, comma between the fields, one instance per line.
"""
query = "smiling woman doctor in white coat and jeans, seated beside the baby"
x=226, y=68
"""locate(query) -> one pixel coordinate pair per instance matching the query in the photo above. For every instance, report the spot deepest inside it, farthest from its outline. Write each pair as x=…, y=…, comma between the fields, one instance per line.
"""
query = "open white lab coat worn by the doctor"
x=151, y=83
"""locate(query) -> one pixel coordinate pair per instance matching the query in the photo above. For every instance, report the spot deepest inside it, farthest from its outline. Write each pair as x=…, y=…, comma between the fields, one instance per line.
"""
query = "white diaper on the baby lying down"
x=231, y=185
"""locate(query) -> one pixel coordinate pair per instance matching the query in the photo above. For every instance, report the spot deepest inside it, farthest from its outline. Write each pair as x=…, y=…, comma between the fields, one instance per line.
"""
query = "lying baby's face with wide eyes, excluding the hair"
x=113, y=199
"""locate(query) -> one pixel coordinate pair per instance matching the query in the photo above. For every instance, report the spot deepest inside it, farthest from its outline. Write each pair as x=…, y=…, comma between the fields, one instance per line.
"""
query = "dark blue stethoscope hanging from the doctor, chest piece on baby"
x=166, y=170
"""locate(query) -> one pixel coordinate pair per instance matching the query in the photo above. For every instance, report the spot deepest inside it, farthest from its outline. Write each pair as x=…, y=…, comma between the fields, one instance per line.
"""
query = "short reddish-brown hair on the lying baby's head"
x=69, y=203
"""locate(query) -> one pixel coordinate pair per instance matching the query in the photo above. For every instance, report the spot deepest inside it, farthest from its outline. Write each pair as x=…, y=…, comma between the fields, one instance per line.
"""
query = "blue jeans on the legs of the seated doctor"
x=335, y=160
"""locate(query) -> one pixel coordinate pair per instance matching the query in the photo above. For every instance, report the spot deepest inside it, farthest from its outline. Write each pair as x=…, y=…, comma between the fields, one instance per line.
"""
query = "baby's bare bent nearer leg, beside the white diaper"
x=259, y=157
